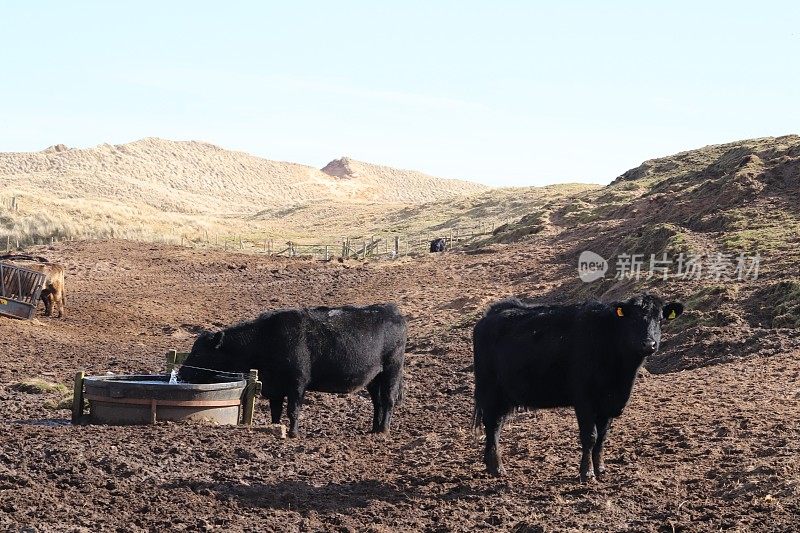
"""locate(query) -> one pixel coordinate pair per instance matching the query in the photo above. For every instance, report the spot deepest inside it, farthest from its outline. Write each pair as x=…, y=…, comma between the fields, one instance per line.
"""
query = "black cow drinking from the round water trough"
x=338, y=350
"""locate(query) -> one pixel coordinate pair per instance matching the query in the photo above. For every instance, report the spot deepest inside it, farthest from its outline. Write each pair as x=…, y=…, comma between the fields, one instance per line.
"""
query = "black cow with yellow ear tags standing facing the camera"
x=584, y=356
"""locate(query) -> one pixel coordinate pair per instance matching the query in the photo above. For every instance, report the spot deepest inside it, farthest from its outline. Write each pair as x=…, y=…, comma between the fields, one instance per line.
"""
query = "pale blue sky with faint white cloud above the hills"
x=506, y=93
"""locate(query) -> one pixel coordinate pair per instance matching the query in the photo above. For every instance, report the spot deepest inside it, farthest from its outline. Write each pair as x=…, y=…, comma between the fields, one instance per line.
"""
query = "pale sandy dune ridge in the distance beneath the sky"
x=194, y=177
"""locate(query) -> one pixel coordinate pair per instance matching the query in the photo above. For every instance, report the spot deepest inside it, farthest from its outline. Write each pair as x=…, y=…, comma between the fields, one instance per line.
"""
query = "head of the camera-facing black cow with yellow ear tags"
x=638, y=323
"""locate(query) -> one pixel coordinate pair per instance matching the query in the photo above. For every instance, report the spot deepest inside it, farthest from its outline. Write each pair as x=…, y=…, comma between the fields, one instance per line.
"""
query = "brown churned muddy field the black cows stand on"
x=716, y=447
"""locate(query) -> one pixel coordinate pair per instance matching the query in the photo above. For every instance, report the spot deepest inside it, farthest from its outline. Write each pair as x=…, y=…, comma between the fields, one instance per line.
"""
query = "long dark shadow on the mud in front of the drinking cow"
x=300, y=495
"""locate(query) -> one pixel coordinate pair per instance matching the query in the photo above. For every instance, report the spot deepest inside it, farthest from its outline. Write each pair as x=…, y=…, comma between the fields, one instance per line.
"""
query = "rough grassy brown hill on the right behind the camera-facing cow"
x=715, y=203
